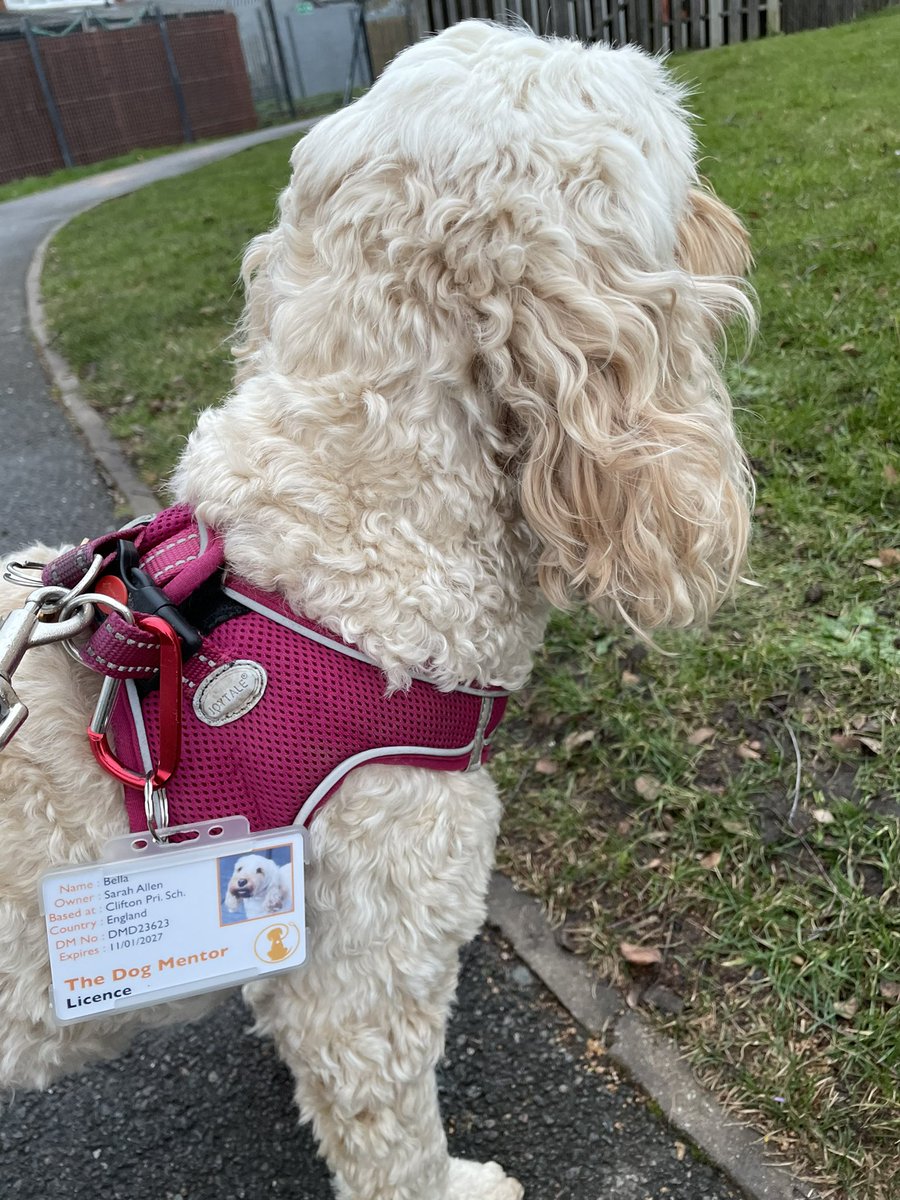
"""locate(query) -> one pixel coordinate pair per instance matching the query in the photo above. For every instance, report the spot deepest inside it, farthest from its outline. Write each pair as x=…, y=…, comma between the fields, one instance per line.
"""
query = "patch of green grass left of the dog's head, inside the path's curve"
x=158, y=355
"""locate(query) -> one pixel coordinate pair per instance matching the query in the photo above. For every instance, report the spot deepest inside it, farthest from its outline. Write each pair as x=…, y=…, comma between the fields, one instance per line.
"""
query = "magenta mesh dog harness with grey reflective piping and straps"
x=275, y=710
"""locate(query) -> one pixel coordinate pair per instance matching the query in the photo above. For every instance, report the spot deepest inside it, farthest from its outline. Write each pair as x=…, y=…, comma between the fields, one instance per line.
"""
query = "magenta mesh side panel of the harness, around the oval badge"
x=321, y=711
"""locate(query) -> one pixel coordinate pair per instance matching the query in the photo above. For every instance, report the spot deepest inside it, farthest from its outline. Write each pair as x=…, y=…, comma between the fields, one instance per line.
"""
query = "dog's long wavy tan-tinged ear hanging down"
x=631, y=471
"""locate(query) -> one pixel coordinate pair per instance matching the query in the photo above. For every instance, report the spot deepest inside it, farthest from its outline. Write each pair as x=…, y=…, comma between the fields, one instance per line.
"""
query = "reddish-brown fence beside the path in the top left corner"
x=98, y=93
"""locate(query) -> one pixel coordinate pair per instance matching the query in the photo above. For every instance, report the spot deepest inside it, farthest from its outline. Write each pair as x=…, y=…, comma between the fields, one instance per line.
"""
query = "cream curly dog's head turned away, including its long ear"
x=520, y=224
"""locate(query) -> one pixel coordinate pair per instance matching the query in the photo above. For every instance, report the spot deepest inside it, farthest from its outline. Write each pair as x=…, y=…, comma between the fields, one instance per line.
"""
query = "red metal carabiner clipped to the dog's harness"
x=170, y=751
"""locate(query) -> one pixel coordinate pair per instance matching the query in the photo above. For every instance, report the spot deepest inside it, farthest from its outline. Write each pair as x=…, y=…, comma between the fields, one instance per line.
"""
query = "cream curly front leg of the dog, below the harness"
x=401, y=865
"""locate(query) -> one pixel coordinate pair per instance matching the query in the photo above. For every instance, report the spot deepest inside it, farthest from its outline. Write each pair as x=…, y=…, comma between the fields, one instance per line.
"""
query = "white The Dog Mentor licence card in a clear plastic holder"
x=152, y=923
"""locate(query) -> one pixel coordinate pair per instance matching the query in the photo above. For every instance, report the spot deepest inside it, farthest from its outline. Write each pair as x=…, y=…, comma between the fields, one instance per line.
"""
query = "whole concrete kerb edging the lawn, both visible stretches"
x=651, y=1059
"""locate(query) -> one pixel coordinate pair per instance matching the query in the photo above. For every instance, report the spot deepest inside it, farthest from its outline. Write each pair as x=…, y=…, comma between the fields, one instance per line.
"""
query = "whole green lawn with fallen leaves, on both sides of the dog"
x=779, y=939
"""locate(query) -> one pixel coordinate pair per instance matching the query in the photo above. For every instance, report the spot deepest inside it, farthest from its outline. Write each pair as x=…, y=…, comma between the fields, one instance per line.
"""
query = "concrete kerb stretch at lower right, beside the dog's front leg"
x=650, y=1059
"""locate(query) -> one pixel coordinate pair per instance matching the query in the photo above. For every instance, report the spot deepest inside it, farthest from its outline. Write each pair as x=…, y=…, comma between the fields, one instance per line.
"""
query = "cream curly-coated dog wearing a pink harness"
x=478, y=377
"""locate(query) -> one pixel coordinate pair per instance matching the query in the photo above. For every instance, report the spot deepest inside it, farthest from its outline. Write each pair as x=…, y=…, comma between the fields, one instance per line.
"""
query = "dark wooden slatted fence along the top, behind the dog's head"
x=656, y=25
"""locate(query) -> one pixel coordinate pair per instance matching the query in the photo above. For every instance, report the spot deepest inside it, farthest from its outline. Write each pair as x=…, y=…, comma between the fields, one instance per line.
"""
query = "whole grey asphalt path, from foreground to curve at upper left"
x=206, y=1113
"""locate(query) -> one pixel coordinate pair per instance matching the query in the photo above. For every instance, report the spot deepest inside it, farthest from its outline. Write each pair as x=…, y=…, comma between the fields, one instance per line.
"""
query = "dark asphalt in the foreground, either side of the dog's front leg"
x=206, y=1113
